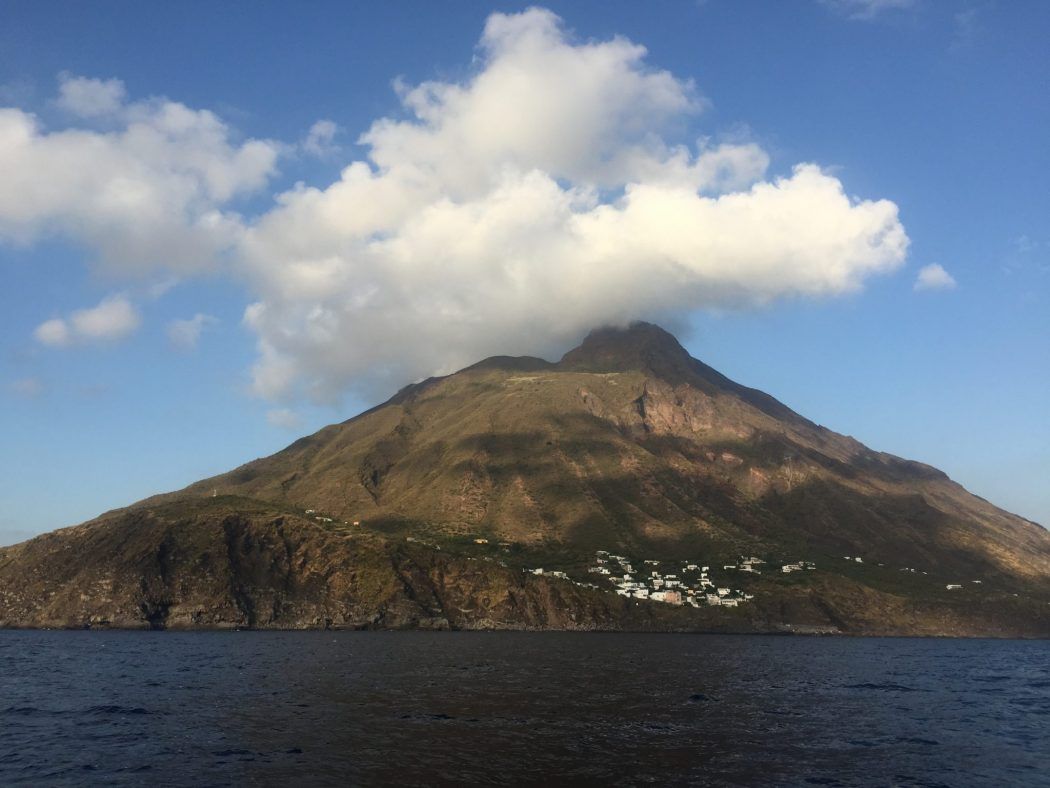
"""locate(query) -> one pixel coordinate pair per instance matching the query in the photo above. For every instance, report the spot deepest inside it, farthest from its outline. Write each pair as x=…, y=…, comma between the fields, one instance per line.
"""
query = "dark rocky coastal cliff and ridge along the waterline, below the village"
x=229, y=563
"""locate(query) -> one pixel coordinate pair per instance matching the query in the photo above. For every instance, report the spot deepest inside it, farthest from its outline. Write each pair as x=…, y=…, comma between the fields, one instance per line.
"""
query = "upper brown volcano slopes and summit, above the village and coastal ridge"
x=629, y=444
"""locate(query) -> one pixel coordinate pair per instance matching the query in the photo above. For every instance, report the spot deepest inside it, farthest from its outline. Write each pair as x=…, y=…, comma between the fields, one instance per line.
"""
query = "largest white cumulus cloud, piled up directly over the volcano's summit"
x=514, y=211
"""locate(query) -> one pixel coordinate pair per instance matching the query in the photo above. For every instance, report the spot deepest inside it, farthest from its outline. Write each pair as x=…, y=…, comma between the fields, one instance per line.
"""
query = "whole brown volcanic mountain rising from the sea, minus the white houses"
x=459, y=484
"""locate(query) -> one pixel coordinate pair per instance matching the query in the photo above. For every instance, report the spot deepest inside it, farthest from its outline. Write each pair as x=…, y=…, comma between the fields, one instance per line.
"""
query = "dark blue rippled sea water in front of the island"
x=418, y=709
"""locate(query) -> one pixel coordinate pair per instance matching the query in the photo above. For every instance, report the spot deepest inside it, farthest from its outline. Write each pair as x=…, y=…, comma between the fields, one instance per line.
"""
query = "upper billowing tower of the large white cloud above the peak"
x=583, y=112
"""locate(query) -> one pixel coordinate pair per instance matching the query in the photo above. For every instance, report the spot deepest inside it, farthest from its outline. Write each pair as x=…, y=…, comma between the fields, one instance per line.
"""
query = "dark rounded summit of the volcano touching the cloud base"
x=640, y=346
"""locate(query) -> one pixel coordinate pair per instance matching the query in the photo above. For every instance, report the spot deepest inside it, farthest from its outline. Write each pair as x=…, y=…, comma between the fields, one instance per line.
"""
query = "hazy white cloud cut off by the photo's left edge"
x=151, y=193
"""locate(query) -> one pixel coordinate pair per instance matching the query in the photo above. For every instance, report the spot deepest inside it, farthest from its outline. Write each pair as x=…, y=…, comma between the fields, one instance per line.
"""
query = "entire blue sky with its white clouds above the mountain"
x=137, y=230
